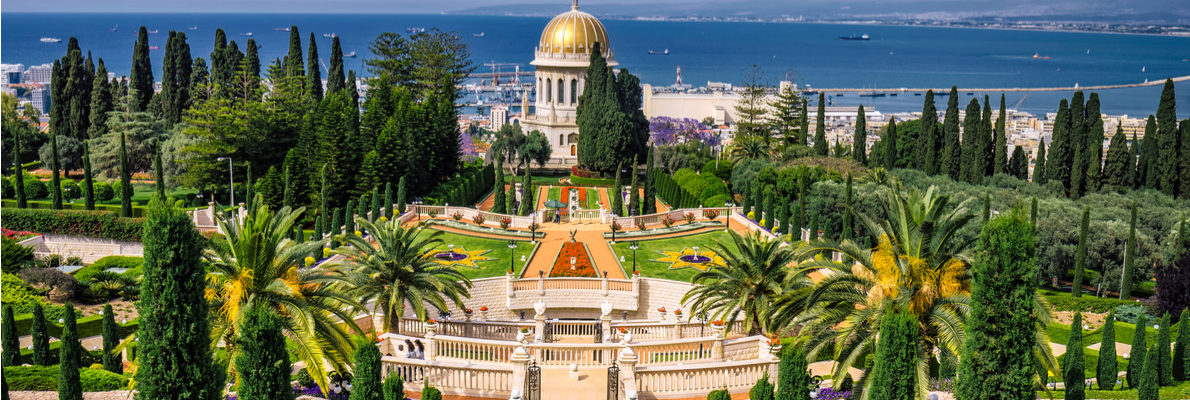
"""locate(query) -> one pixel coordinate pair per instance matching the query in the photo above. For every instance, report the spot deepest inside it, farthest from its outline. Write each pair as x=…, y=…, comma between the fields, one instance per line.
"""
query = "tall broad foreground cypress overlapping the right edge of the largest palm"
x=998, y=353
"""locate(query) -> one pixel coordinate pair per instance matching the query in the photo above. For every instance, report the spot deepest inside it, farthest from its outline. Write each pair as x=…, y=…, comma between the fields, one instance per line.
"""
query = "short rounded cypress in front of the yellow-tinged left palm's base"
x=264, y=362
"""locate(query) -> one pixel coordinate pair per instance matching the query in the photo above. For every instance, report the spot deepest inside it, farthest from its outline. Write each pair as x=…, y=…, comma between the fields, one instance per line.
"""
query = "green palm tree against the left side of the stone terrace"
x=392, y=268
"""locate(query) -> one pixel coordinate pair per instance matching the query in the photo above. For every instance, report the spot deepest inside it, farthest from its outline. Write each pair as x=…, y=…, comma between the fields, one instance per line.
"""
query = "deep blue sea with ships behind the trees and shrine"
x=810, y=54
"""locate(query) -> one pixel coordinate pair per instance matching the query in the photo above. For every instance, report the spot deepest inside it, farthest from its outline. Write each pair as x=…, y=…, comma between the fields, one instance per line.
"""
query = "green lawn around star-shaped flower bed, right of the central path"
x=652, y=251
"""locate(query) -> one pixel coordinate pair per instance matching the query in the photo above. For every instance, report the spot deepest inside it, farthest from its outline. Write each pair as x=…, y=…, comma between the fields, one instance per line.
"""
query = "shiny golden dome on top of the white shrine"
x=574, y=33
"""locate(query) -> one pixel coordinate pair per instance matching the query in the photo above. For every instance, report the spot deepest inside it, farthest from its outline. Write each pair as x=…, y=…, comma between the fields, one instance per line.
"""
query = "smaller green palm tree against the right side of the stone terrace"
x=755, y=274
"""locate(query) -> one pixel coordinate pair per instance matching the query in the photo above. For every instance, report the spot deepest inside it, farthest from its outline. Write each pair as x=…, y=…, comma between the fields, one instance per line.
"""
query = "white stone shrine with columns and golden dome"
x=561, y=59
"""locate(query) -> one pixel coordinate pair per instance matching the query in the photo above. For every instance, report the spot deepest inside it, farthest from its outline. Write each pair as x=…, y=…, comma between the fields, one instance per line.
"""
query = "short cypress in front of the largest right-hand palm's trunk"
x=895, y=371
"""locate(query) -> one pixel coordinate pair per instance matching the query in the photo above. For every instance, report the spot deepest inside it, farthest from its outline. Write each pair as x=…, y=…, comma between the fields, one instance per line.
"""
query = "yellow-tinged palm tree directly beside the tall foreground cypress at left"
x=256, y=265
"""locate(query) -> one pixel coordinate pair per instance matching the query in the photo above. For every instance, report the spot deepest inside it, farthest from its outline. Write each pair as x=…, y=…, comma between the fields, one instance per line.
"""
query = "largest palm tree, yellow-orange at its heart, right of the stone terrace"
x=920, y=264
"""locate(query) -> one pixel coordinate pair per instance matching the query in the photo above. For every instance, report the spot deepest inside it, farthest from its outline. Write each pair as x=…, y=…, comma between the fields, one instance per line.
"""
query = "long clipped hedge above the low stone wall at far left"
x=101, y=224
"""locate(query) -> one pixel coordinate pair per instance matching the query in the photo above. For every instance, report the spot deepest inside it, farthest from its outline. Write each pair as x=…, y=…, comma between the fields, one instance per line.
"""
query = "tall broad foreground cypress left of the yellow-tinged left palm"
x=174, y=351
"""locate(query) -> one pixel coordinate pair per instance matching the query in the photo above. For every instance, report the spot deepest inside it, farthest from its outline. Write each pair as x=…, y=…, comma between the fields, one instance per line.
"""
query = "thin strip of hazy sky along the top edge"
x=1124, y=11
